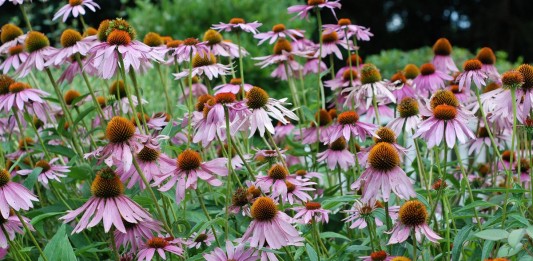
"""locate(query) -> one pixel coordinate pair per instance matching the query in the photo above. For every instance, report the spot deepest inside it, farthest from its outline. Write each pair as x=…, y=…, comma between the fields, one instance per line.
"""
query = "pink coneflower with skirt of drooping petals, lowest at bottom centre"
x=271, y=226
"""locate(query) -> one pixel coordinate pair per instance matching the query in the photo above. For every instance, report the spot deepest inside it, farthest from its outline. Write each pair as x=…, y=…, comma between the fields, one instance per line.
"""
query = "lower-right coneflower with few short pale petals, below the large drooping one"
x=412, y=216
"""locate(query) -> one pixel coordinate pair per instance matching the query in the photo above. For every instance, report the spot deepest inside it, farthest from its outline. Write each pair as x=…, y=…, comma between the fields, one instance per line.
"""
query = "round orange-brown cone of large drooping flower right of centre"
x=384, y=157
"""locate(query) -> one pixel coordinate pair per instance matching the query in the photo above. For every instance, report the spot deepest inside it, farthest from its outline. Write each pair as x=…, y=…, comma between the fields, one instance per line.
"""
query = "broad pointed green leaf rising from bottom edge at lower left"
x=59, y=247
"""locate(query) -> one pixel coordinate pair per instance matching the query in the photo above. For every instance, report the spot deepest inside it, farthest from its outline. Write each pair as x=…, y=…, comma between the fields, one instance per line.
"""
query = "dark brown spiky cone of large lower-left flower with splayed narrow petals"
x=107, y=184
